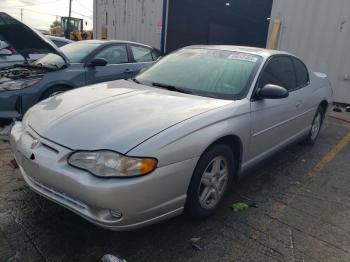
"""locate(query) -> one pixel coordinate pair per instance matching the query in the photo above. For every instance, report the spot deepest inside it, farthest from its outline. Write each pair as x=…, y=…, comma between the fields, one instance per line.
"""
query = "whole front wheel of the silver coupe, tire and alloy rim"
x=205, y=193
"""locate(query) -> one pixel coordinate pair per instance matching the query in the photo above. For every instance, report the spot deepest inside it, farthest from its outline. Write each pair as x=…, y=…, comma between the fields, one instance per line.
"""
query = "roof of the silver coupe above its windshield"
x=244, y=49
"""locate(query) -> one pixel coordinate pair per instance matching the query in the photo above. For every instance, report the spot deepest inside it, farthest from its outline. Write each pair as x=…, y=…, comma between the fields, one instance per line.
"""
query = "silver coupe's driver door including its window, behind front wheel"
x=275, y=121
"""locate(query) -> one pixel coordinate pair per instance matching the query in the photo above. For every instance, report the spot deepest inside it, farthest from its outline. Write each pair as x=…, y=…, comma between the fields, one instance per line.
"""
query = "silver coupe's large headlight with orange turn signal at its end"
x=106, y=163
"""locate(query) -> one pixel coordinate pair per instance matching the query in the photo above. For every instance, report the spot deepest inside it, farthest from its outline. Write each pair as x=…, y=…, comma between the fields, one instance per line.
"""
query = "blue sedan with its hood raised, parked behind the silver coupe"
x=73, y=65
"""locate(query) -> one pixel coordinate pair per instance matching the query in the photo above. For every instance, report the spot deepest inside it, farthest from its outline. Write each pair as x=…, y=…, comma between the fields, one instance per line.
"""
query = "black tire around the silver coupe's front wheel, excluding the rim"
x=193, y=207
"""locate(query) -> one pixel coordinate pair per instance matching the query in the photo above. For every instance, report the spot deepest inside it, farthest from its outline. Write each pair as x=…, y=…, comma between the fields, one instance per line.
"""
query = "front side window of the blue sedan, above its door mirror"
x=116, y=54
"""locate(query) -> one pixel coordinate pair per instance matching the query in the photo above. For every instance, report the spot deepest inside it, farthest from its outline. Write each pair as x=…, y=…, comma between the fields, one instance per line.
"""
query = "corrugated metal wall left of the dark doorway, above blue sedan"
x=132, y=20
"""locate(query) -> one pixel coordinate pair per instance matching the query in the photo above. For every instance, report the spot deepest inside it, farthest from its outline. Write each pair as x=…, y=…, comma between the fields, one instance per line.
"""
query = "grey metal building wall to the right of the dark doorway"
x=318, y=31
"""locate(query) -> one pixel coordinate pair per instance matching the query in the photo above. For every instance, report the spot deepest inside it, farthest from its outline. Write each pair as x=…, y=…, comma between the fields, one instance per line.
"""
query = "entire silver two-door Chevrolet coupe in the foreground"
x=129, y=153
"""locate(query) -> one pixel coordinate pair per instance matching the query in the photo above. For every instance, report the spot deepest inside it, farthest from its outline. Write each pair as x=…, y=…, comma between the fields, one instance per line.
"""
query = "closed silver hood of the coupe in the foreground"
x=116, y=115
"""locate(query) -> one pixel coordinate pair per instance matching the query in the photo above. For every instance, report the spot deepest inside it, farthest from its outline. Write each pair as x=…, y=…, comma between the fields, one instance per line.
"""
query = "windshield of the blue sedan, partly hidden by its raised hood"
x=75, y=52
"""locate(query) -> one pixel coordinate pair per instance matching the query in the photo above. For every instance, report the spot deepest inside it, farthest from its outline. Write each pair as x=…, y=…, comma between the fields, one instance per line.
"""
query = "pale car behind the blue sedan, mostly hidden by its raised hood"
x=9, y=56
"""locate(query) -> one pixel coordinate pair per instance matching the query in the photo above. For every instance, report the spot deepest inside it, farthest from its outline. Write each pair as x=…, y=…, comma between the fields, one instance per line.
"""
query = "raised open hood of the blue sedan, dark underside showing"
x=24, y=39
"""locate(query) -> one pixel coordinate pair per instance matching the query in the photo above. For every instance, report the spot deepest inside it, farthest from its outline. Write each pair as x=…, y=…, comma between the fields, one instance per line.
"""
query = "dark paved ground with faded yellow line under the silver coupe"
x=303, y=209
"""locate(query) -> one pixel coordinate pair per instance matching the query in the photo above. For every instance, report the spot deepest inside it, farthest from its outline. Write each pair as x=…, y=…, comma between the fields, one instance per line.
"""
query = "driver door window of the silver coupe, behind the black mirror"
x=279, y=71
